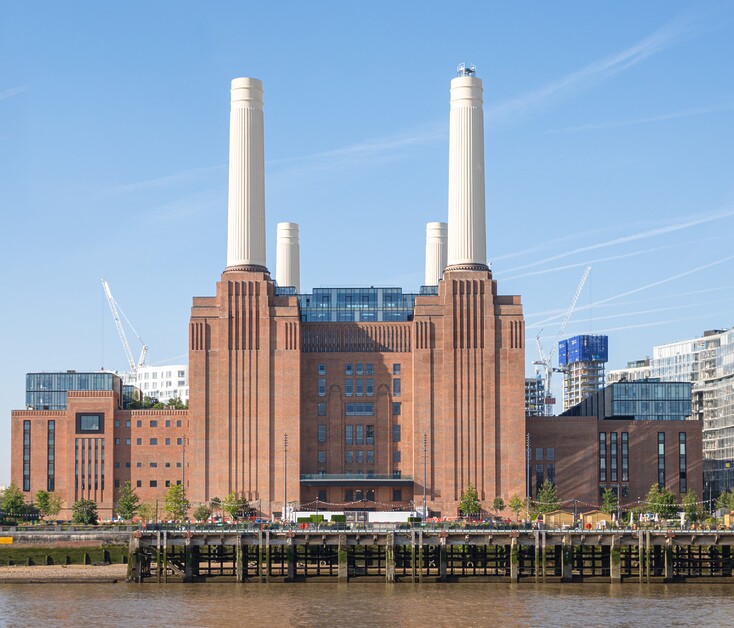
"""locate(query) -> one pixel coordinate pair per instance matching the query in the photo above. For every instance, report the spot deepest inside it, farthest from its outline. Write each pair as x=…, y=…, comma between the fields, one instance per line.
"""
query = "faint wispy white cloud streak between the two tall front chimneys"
x=370, y=151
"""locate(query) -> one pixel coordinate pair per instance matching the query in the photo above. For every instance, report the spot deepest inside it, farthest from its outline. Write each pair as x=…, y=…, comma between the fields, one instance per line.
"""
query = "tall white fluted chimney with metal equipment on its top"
x=467, y=232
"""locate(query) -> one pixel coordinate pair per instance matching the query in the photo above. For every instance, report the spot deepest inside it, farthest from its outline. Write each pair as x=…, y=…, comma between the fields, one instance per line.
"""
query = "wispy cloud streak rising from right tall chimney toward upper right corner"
x=599, y=70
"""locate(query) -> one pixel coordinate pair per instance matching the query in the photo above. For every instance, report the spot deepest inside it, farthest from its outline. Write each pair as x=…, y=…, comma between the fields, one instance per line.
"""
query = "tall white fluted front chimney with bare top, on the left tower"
x=246, y=207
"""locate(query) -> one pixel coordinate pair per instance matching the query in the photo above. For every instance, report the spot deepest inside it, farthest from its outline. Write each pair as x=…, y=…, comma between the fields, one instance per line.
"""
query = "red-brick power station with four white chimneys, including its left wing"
x=320, y=400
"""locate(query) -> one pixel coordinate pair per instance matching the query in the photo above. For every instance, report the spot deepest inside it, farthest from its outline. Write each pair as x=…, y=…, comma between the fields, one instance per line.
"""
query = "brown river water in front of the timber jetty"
x=427, y=605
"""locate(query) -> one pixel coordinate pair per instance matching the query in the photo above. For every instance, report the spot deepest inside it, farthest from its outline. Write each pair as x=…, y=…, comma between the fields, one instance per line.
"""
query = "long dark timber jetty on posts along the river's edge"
x=429, y=554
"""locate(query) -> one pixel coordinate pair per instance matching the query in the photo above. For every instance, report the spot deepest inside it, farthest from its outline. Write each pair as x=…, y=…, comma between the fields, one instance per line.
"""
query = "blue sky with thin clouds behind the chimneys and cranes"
x=609, y=142
